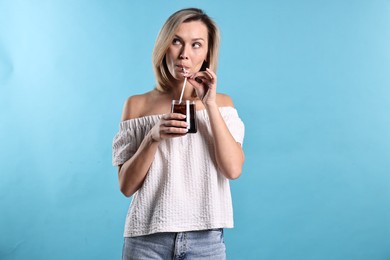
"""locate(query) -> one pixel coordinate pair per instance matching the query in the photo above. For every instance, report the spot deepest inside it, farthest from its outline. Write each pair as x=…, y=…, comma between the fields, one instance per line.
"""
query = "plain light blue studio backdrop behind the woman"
x=310, y=80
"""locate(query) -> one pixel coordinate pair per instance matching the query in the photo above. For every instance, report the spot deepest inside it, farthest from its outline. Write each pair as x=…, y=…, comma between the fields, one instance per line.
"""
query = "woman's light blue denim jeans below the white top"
x=204, y=244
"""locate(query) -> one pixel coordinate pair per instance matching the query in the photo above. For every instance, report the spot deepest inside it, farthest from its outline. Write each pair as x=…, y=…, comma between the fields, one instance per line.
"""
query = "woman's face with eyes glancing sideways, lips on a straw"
x=188, y=49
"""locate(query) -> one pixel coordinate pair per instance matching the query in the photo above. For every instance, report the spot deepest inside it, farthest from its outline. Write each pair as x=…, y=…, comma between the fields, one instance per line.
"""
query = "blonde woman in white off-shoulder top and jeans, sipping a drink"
x=179, y=181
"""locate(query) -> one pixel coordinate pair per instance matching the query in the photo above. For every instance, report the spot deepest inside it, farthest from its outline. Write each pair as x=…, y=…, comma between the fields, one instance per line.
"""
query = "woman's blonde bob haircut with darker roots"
x=165, y=38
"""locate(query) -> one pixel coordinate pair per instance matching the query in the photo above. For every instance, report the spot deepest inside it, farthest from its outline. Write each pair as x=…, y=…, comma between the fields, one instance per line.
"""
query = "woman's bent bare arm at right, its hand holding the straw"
x=228, y=153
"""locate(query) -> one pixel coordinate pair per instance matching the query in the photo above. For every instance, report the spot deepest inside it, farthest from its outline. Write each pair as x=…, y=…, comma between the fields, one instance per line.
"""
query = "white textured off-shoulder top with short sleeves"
x=183, y=189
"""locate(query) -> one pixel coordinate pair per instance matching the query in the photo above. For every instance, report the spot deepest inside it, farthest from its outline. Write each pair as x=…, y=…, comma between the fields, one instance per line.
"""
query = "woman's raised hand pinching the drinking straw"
x=205, y=84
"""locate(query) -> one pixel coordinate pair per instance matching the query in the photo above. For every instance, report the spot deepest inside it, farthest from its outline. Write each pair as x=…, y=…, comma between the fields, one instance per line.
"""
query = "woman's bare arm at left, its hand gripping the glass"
x=132, y=173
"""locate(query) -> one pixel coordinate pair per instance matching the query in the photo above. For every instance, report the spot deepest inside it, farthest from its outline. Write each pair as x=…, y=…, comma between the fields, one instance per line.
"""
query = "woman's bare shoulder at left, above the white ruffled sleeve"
x=134, y=105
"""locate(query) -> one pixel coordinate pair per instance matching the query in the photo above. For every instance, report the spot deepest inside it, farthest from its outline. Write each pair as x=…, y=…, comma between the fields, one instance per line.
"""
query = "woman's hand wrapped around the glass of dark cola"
x=169, y=126
